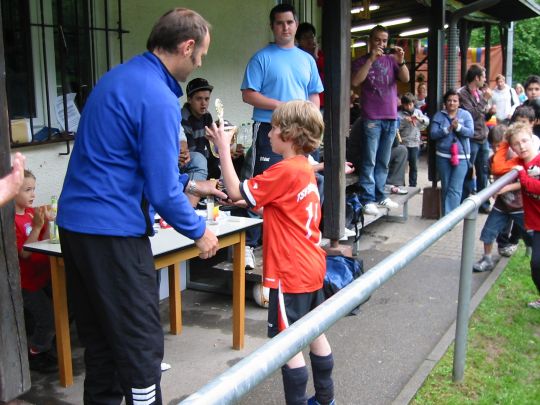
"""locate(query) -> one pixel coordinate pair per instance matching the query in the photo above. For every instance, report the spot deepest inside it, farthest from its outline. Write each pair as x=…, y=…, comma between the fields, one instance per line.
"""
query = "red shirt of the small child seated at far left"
x=35, y=271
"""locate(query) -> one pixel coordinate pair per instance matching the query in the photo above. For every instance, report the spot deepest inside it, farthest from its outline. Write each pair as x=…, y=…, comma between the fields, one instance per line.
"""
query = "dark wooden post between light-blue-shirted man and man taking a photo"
x=337, y=84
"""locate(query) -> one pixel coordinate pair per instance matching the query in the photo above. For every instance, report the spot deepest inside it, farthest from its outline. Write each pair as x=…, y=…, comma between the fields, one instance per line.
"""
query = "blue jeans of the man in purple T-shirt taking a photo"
x=377, y=139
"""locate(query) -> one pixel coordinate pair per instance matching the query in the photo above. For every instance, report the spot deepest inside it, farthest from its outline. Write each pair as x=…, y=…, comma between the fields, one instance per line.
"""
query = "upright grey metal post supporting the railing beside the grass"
x=464, y=298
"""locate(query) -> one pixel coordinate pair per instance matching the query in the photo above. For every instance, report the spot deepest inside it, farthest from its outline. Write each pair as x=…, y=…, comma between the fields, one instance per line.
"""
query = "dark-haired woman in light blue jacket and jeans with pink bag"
x=451, y=128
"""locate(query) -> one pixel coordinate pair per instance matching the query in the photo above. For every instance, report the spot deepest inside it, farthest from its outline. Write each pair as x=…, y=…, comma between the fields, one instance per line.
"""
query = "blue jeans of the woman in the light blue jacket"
x=452, y=178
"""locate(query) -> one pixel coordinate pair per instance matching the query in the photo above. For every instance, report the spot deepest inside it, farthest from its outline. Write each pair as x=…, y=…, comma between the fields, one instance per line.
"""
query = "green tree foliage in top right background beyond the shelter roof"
x=526, y=57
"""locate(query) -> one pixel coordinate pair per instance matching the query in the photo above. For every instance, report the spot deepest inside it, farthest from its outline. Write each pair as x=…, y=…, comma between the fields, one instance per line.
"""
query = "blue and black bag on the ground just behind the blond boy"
x=340, y=272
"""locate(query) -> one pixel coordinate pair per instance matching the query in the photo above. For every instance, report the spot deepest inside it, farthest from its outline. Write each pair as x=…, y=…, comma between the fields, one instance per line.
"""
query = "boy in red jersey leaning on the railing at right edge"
x=519, y=138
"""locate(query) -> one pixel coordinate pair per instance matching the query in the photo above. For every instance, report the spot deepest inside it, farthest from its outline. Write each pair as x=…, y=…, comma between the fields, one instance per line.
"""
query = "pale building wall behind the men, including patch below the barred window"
x=234, y=39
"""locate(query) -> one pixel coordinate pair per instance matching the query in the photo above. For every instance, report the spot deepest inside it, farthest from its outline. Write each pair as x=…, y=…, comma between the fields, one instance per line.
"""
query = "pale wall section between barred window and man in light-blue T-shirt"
x=239, y=28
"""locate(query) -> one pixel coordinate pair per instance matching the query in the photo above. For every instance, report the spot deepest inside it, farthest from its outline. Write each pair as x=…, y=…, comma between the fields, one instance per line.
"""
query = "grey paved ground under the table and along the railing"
x=378, y=353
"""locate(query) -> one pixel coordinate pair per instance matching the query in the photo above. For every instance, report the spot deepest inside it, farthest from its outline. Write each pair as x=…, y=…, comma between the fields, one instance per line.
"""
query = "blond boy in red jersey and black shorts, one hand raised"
x=294, y=264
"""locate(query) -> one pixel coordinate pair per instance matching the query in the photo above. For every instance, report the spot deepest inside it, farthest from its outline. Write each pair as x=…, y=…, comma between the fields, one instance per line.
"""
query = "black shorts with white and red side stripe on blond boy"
x=294, y=307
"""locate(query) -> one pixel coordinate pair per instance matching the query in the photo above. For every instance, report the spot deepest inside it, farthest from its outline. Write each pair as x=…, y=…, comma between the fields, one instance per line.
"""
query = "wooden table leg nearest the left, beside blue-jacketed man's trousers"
x=61, y=321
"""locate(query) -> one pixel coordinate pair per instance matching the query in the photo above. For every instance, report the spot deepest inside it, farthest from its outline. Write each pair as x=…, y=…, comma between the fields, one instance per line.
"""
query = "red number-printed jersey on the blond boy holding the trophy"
x=292, y=254
